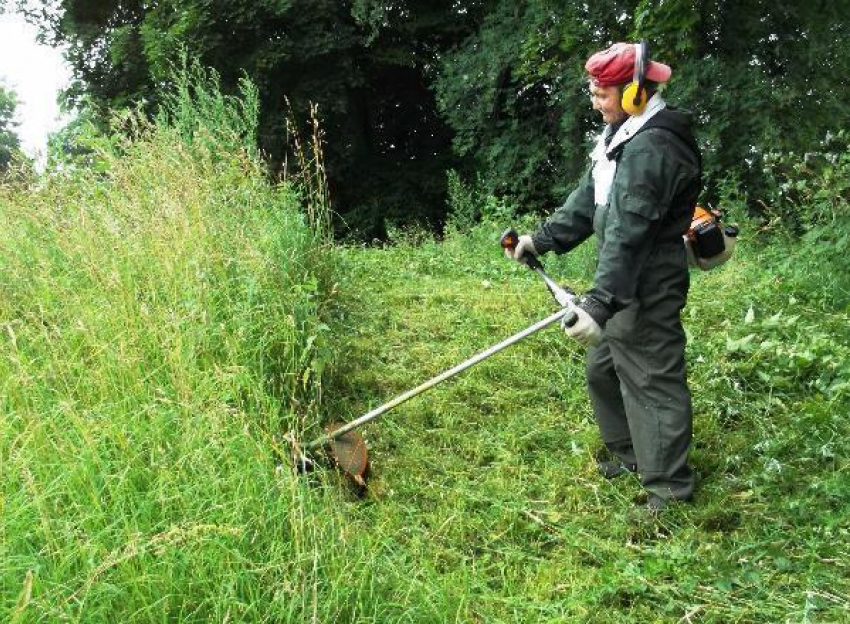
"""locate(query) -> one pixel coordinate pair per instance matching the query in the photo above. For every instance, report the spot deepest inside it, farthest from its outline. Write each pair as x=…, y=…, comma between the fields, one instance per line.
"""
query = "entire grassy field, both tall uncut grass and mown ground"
x=169, y=319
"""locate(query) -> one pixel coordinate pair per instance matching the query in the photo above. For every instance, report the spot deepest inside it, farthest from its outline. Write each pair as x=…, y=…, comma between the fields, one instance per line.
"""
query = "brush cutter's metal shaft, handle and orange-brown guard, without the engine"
x=346, y=446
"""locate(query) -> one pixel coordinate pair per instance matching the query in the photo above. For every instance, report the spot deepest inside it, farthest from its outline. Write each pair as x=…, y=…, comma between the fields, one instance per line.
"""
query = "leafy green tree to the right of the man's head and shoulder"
x=761, y=76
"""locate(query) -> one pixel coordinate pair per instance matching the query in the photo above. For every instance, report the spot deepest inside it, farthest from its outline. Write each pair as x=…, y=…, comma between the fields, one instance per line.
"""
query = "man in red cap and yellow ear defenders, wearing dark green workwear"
x=637, y=196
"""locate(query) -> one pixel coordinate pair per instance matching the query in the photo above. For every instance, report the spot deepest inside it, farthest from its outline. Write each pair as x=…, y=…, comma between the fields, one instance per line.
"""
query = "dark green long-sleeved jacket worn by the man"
x=650, y=204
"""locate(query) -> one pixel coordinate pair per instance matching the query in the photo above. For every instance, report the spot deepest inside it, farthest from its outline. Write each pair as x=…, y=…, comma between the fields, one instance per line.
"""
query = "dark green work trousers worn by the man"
x=637, y=381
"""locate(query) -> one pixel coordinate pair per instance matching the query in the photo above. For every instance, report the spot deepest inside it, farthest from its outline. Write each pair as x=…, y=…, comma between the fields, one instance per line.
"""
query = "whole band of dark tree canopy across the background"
x=493, y=88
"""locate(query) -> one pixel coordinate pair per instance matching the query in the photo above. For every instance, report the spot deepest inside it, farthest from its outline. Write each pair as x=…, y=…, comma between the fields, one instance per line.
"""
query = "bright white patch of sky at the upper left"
x=36, y=73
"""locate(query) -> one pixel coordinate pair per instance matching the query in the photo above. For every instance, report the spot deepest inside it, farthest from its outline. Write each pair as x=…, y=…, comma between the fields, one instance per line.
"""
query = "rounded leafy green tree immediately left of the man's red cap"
x=515, y=95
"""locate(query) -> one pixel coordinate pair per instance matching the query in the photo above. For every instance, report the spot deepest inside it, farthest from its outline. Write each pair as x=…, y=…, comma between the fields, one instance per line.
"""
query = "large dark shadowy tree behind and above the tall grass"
x=366, y=63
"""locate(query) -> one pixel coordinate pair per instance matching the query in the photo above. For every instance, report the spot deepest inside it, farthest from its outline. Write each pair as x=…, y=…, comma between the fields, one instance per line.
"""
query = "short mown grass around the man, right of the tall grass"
x=485, y=489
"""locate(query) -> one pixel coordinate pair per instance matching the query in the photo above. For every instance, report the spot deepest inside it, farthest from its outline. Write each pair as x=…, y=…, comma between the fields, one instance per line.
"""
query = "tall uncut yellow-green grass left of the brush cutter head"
x=160, y=333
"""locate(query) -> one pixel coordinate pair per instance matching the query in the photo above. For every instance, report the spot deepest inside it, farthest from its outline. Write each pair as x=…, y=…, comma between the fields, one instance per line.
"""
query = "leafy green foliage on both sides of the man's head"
x=759, y=76
